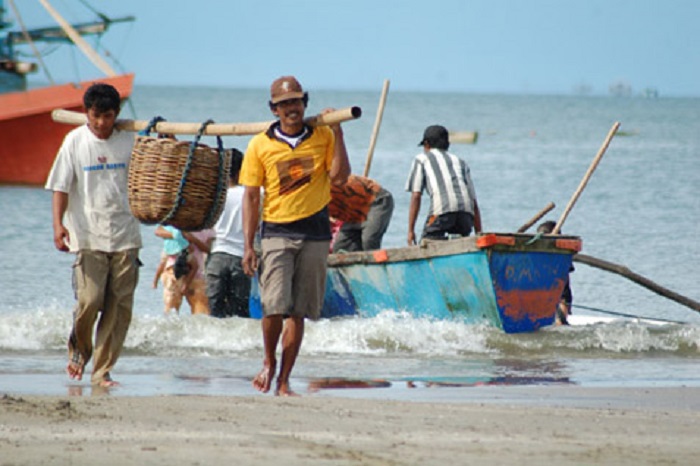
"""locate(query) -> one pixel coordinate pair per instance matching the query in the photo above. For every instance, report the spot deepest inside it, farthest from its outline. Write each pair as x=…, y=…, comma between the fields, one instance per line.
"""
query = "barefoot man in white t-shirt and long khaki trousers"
x=89, y=183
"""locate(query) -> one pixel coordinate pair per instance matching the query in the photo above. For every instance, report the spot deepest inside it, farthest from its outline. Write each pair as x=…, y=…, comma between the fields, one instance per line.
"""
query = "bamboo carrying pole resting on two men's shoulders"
x=214, y=129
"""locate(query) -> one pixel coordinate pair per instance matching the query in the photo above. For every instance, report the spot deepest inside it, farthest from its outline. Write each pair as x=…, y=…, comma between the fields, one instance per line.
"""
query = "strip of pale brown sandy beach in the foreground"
x=498, y=425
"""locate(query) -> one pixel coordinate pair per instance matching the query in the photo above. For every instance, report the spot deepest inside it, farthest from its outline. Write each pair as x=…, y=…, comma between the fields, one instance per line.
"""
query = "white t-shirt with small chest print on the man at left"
x=94, y=173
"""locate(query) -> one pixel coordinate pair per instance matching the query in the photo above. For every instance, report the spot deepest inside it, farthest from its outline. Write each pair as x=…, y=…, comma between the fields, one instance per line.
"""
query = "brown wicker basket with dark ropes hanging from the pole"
x=177, y=183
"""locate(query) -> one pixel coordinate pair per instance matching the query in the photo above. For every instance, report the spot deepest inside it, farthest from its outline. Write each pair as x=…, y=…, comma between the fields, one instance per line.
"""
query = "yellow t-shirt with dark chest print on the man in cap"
x=296, y=181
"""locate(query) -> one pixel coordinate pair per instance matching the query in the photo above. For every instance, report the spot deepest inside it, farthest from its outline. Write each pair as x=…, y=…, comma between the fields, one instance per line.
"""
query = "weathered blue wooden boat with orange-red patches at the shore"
x=508, y=281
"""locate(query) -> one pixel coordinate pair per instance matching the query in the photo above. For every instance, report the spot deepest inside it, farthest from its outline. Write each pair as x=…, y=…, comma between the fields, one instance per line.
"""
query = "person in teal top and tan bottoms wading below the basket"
x=181, y=270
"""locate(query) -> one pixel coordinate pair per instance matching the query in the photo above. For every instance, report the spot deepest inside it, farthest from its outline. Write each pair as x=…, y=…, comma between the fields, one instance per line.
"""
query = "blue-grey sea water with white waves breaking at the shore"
x=640, y=209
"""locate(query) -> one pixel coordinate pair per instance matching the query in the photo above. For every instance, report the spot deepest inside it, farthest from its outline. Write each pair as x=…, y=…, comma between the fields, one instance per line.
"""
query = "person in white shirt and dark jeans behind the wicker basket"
x=228, y=287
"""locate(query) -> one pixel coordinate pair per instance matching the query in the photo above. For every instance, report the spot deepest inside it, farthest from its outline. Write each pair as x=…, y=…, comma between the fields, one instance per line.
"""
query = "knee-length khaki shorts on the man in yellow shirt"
x=293, y=276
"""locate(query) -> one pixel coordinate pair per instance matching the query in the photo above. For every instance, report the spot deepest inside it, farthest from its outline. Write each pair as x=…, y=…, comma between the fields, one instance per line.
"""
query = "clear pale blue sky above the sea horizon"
x=511, y=46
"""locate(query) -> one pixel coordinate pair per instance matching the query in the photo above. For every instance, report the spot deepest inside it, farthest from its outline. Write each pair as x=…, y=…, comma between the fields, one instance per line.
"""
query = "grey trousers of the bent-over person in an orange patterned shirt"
x=367, y=235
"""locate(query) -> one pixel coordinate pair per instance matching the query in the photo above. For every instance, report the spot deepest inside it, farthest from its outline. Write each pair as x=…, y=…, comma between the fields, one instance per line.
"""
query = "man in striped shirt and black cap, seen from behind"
x=453, y=206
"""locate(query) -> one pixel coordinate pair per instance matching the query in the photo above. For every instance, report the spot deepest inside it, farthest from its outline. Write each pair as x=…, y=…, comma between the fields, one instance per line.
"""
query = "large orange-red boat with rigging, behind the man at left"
x=30, y=138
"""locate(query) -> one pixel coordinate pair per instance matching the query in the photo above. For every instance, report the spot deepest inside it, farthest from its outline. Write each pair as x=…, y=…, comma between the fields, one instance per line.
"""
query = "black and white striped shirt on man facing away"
x=446, y=179
